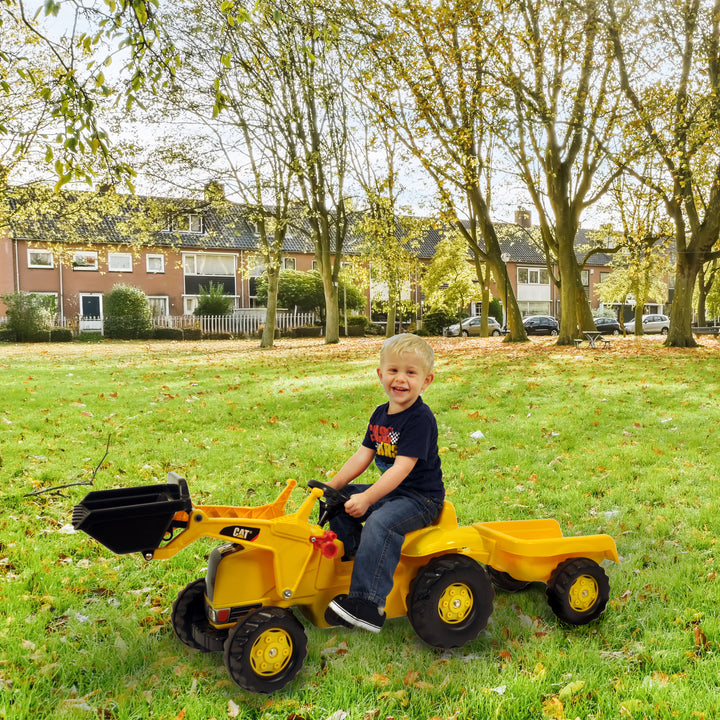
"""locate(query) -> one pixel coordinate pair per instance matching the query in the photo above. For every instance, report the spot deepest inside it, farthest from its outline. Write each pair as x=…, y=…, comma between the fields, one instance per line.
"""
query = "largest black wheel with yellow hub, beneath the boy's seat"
x=450, y=601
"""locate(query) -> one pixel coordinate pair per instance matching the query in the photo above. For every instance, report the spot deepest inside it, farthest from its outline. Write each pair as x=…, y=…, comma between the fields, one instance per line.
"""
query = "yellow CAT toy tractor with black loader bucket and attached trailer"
x=272, y=562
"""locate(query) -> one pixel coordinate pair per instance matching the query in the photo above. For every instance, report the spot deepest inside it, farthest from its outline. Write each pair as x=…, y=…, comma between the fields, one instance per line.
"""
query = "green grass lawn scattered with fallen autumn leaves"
x=620, y=441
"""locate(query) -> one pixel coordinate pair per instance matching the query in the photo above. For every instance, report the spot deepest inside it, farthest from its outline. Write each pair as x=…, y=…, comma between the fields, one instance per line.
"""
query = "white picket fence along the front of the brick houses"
x=238, y=323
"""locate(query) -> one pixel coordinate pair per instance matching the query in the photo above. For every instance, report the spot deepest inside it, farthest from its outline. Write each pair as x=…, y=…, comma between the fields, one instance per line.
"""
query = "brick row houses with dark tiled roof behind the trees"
x=199, y=243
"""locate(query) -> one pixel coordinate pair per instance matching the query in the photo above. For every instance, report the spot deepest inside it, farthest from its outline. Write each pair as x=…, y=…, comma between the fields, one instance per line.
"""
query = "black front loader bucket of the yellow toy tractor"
x=135, y=519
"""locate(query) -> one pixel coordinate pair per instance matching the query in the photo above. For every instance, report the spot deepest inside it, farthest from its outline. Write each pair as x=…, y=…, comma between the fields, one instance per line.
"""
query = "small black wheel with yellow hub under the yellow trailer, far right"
x=578, y=591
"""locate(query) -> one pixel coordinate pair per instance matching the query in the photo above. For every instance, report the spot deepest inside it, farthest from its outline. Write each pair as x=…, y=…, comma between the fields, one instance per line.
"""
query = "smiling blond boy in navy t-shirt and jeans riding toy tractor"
x=402, y=438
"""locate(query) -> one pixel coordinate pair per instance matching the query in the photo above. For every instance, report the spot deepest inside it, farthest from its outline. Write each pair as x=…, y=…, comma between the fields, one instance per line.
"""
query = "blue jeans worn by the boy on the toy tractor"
x=377, y=548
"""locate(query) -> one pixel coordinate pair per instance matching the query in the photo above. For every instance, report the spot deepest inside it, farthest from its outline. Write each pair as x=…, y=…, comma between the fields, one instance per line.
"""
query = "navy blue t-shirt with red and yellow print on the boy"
x=412, y=433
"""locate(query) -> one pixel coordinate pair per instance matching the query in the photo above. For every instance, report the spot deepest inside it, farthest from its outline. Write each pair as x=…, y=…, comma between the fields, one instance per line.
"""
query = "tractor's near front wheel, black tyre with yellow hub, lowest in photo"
x=265, y=651
